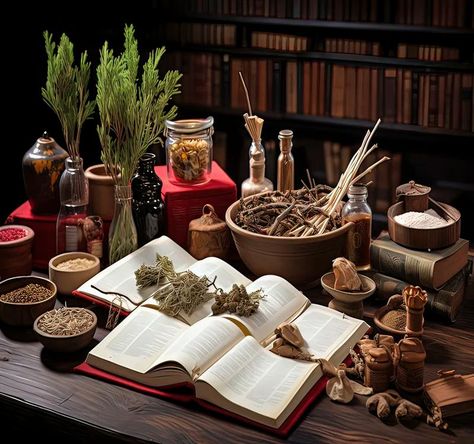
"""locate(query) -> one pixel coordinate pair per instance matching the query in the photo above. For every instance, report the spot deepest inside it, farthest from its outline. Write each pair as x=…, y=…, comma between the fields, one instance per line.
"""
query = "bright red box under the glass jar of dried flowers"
x=184, y=203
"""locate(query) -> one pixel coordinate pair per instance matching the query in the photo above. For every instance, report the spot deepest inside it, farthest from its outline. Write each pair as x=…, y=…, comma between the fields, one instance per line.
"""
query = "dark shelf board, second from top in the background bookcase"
x=352, y=59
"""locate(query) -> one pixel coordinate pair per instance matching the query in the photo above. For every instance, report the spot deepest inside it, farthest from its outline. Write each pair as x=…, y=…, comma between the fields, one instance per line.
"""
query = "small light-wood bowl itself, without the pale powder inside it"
x=68, y=280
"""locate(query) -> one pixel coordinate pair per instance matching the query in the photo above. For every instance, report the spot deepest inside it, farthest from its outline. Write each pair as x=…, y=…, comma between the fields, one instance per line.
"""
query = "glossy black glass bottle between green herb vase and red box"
x=147, y=204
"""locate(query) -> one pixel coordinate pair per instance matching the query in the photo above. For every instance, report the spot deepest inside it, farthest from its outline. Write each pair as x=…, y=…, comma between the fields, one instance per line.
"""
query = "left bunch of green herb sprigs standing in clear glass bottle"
x=66, y=90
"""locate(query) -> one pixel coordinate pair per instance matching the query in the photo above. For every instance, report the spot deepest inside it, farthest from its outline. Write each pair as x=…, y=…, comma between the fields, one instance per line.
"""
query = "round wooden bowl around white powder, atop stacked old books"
x=423, y=238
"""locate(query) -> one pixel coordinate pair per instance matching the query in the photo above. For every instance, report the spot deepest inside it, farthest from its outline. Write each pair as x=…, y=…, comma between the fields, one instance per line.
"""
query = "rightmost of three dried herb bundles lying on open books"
x=237, y=301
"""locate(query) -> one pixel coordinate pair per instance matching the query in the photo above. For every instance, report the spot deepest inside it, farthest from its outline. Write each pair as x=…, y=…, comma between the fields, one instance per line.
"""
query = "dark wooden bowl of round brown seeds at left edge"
x=24, y=298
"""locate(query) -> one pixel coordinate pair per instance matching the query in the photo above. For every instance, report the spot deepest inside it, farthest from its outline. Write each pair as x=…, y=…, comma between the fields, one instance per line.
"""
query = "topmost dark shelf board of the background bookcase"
x=332, y=25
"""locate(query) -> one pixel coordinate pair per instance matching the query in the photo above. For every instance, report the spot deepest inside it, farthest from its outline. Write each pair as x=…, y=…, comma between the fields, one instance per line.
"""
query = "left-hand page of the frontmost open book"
x=138, y=340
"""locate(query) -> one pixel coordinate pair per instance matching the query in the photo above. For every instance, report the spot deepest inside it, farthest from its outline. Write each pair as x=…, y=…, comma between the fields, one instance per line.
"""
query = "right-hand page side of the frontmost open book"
x=257, y=379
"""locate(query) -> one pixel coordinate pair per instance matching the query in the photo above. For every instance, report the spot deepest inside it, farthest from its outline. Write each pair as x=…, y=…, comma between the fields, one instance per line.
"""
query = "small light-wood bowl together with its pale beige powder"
x=70, y=270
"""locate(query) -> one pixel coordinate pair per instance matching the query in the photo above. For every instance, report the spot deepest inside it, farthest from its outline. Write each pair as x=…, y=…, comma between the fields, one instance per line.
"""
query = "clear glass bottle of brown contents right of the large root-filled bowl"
x=357, y=211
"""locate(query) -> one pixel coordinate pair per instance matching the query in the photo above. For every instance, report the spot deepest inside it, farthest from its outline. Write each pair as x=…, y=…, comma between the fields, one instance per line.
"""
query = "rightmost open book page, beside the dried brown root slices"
x=328, y=333
